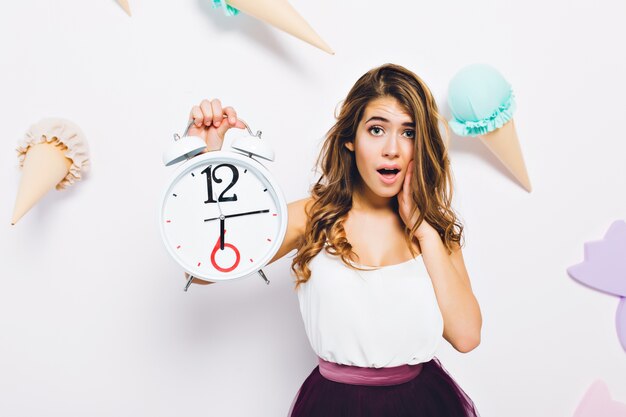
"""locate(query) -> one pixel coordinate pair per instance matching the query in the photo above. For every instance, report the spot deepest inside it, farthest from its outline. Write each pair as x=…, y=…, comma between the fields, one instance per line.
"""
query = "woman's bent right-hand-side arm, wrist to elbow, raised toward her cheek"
x=461, y=314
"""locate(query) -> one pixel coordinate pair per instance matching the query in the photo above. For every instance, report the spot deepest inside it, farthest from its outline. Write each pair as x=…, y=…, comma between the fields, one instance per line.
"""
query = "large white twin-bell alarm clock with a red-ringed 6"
x=222, y=215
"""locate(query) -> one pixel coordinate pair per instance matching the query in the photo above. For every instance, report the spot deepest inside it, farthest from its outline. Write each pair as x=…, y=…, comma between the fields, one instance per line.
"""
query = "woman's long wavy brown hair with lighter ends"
x=431, y=183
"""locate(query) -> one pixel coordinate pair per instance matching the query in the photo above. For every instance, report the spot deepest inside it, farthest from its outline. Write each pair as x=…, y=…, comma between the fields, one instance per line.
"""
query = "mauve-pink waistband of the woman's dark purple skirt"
x=357, y=375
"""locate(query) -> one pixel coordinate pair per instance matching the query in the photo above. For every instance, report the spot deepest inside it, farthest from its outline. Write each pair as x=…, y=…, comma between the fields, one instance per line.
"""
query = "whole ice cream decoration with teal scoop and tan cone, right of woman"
x=482, y=105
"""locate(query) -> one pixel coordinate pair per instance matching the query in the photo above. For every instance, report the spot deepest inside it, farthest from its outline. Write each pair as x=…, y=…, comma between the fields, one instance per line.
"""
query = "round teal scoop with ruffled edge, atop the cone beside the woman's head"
x=481, y=100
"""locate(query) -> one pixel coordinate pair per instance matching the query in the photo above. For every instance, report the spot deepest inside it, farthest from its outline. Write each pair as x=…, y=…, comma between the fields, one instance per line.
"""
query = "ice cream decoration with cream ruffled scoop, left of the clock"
x=53, y=154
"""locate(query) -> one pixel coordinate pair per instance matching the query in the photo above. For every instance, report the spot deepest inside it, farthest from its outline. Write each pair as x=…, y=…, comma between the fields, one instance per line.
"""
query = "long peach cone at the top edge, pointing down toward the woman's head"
x=281, y=15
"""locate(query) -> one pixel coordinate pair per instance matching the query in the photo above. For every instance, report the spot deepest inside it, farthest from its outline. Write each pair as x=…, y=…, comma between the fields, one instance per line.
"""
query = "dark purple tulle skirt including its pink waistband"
x=424, y=390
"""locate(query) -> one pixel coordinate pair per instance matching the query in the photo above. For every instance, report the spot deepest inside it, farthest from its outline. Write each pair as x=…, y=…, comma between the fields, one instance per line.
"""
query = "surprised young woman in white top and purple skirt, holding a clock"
x=379, y=271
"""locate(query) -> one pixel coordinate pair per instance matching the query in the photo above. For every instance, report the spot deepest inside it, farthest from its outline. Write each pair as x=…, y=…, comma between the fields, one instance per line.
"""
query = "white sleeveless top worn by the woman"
x=379, y=318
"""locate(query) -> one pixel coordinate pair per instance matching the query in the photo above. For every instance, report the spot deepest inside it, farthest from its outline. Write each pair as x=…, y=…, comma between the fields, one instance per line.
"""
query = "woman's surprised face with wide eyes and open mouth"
x=383, y=146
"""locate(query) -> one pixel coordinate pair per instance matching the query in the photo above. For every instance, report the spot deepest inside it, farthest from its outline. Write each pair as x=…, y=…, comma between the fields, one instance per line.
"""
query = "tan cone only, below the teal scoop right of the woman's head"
x=504, y=144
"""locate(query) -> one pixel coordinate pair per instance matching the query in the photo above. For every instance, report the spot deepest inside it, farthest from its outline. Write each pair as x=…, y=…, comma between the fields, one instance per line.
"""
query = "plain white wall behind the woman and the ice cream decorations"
x=93, y=319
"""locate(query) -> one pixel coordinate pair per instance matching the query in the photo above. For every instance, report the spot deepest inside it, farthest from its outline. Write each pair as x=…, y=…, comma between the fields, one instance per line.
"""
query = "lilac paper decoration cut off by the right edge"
x=604, y=269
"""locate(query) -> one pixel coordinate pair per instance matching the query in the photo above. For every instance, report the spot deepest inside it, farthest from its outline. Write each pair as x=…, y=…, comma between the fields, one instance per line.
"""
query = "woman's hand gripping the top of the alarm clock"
x=211, y=122
